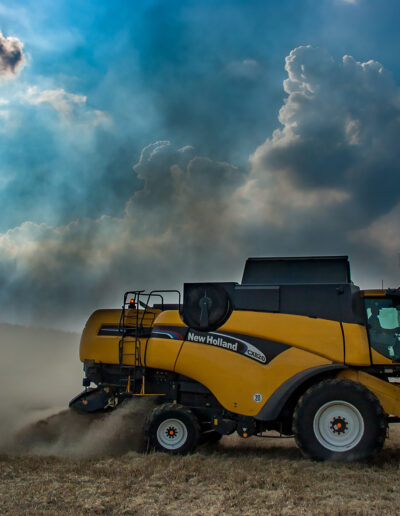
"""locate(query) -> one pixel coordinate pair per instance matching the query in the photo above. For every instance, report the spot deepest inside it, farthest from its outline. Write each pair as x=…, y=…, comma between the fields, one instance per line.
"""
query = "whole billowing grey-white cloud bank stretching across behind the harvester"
x=325, y=182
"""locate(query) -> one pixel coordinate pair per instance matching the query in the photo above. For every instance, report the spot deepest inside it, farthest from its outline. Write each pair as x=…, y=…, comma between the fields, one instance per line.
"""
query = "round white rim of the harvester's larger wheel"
x=338, y=426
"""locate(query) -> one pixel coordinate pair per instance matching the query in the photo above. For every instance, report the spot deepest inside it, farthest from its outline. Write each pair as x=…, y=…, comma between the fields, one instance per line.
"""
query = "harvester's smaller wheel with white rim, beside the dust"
x=172, y=429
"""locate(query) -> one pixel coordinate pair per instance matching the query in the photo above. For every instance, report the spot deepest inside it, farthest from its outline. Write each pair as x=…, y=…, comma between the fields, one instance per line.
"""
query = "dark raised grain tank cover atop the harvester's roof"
x=302, y=270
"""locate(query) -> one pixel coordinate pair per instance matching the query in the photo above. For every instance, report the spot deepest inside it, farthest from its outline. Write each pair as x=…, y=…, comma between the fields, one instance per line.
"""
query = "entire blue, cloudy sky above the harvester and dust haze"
x=144, y=144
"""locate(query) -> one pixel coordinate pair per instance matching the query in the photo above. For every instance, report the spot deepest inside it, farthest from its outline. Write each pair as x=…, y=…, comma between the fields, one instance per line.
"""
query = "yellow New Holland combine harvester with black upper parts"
x=296, y=347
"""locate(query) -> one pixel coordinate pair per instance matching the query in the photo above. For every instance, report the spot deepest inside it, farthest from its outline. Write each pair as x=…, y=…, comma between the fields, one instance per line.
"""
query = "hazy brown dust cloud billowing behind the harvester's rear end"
x=40, y=372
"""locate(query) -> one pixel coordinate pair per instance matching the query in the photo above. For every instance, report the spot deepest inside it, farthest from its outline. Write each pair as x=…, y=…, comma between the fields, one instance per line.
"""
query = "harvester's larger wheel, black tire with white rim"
x=339, y=420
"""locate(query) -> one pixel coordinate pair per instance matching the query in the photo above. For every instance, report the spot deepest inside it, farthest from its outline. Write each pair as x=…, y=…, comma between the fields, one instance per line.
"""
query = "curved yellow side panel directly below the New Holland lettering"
x=234, y=380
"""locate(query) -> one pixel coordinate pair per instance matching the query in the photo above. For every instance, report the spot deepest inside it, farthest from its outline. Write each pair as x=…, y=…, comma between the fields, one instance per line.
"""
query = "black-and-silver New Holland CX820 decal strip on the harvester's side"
x=221, y=340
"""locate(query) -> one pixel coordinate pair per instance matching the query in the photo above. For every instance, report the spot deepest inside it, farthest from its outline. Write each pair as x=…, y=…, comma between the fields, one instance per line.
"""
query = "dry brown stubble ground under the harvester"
x=235, y=477
